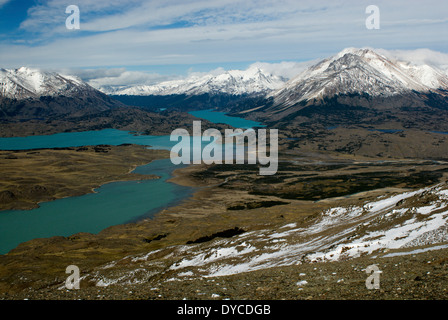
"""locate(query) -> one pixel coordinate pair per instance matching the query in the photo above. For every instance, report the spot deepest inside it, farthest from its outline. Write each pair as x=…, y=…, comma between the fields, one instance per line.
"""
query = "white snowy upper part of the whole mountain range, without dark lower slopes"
x=351, y=71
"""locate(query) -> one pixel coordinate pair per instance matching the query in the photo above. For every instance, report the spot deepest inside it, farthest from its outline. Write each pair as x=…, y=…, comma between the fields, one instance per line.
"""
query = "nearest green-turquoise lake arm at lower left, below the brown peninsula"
x=112, y=204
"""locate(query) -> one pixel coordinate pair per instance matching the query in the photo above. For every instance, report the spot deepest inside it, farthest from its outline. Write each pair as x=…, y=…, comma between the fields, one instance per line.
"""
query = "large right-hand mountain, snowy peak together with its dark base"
x=357, y=86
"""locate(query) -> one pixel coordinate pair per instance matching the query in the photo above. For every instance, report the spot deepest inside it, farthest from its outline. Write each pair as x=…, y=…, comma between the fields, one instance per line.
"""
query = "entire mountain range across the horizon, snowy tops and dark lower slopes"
x=358, y=87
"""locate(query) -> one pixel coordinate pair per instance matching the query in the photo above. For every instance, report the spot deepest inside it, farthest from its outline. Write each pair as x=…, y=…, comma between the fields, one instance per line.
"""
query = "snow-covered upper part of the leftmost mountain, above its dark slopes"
x=26, y=83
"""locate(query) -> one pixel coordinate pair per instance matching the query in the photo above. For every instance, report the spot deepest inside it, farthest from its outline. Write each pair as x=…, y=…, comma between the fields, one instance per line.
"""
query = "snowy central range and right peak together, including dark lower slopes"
x=355, y=86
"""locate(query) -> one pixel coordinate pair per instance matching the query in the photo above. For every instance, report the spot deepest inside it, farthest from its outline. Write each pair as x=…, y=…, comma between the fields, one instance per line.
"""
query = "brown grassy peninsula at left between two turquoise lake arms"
x=43, y=165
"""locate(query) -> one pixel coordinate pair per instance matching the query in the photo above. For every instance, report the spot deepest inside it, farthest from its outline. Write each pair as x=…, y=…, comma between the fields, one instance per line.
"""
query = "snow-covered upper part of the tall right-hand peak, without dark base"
x=360, y=71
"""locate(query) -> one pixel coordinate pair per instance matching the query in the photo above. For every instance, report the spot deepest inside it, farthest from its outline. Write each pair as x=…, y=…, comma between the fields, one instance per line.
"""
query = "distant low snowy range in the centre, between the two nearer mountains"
x=234, y=82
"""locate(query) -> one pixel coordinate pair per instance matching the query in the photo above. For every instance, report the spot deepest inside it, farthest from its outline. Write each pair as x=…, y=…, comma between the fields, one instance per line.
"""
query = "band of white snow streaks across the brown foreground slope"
x=399, y=222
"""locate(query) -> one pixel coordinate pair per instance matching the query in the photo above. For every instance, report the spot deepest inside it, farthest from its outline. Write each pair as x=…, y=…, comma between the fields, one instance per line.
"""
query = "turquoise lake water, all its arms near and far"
x=111, y=204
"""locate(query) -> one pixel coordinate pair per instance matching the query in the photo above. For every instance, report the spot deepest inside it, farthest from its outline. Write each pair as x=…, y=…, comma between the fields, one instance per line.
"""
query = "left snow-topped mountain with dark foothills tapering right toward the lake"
x=39, y=102
